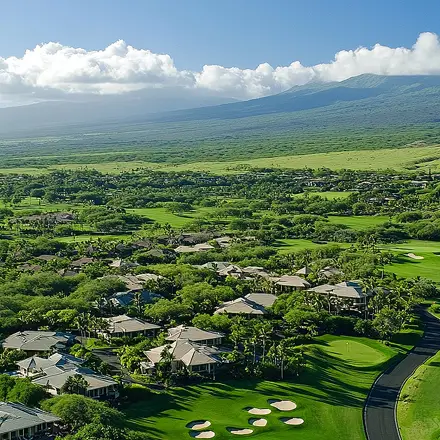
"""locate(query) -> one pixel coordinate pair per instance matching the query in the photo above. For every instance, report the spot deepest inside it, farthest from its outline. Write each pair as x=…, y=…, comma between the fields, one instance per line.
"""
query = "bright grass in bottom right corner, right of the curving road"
x=419, y=406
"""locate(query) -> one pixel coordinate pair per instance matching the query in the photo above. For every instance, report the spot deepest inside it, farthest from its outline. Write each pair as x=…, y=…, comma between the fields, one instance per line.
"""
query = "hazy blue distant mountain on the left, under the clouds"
x=95, y=109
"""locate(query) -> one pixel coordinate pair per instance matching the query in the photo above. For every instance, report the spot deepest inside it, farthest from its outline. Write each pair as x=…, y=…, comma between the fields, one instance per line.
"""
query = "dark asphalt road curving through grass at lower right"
x=380, y=409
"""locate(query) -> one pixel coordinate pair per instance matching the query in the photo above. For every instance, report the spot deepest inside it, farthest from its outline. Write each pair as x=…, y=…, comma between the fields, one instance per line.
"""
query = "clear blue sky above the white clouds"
x=242, y=33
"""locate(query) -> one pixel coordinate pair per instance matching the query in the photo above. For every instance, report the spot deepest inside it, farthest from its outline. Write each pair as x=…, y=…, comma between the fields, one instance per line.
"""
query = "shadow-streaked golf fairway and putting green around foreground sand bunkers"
x=330, y=397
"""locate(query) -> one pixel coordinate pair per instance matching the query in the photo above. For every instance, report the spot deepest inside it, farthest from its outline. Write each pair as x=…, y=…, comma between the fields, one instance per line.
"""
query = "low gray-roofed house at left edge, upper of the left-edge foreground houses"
x=35, y=341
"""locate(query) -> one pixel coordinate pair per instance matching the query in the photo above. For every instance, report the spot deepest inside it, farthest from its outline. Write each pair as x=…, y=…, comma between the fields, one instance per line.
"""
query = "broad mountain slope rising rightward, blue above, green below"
x=367, y=112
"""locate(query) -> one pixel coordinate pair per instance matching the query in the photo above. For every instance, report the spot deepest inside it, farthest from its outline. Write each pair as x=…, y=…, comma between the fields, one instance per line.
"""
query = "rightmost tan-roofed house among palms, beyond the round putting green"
x=350, y=293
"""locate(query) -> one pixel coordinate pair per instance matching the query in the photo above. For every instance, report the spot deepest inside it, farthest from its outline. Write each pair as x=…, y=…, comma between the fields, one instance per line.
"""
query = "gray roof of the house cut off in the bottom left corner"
x=15, y=416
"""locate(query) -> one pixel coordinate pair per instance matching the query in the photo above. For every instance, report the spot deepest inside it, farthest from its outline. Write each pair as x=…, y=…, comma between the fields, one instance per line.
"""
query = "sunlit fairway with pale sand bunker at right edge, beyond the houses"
x=408, y=267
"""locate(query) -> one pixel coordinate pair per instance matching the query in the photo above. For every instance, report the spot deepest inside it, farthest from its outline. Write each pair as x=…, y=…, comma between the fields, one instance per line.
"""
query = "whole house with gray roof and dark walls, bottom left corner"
x=18, y=421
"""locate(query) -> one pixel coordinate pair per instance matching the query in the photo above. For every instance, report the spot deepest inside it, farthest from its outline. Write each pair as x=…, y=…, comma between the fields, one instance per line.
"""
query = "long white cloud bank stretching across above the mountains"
x=52, y=70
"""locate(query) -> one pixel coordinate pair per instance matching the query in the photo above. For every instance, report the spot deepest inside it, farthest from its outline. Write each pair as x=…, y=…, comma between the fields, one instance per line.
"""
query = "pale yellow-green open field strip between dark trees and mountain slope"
x=415, y=157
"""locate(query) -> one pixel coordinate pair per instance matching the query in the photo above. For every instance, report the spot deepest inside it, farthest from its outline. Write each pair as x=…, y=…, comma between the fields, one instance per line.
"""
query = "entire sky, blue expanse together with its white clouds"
x=237, y=48
